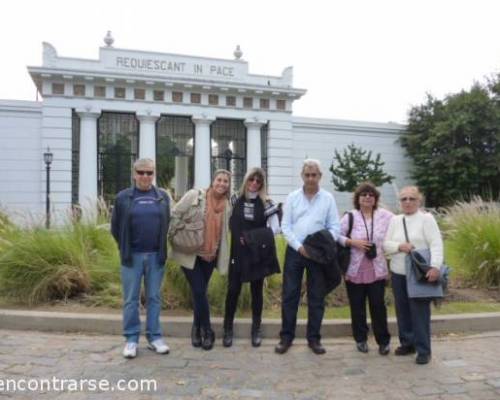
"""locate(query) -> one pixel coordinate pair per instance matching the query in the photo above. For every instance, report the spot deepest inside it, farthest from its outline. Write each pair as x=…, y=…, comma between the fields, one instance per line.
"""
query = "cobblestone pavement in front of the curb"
x=463, y=367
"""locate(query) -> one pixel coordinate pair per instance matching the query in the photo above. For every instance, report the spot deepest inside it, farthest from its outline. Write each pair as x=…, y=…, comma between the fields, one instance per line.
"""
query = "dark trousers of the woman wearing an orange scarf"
x=198, y=279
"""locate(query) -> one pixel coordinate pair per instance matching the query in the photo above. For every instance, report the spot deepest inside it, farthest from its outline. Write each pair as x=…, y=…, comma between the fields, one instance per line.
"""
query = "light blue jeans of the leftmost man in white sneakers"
x=143, y=264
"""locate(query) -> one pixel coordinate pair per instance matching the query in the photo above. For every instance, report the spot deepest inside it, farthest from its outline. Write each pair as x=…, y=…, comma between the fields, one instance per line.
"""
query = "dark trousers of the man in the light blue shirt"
x=292, y=284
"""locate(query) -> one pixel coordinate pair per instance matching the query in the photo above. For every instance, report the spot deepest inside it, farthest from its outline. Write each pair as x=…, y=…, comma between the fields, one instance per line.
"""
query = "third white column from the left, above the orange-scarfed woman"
x=202, y=167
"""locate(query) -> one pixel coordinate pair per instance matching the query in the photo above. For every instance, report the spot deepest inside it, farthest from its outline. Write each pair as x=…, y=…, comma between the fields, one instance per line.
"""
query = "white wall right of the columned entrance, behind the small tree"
x=318, y=138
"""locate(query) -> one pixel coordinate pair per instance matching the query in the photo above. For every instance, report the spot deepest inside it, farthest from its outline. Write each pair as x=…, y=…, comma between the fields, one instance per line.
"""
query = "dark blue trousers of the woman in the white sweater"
x=414, y=317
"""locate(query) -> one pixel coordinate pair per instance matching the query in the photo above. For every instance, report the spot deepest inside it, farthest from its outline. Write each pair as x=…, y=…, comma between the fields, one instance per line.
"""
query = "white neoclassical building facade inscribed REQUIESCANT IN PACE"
x=191, y=115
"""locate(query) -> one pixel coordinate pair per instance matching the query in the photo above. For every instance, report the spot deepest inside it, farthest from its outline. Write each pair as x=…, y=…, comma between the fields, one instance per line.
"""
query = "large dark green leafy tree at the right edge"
x=455, y=144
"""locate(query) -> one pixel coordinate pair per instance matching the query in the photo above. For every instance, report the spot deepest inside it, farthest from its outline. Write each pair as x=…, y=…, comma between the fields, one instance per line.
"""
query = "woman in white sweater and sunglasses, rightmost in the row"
x=413, y=314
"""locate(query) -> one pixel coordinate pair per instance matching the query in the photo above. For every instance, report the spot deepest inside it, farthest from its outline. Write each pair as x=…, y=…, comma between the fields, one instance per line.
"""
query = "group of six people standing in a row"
x=235, y=234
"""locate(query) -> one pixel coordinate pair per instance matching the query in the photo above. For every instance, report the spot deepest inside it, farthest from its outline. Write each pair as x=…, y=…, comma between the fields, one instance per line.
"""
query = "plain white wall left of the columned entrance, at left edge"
x=20, y=156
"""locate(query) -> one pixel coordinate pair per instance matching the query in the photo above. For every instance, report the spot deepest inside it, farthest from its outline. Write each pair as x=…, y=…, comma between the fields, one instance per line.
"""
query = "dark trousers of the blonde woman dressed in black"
x=233, y=293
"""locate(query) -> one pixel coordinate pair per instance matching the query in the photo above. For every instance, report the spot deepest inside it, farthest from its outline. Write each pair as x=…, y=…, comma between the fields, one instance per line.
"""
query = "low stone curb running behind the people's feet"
x=111, y=324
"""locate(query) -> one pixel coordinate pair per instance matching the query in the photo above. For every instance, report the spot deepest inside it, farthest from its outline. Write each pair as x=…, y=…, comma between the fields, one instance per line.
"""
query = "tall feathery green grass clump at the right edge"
x=473, y=241
